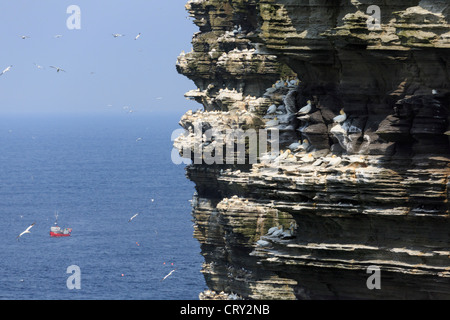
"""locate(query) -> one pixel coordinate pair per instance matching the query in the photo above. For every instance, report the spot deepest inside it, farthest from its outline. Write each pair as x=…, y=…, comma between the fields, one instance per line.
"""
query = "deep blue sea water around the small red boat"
x=92, y=170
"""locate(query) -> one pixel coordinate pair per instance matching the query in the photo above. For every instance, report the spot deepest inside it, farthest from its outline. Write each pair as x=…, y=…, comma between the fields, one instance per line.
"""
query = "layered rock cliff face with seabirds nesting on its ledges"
x=343, y=194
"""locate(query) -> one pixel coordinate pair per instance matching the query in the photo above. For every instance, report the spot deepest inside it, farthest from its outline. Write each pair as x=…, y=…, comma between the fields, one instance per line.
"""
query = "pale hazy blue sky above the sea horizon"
x=101, y=70
